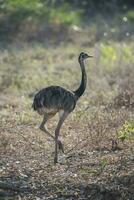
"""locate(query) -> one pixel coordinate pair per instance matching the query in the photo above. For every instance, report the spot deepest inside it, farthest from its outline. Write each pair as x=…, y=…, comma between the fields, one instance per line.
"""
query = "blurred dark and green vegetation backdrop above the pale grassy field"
x=43, y=20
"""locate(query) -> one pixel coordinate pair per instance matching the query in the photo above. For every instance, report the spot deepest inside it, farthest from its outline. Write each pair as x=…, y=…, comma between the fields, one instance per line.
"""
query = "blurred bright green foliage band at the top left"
x=38, y=10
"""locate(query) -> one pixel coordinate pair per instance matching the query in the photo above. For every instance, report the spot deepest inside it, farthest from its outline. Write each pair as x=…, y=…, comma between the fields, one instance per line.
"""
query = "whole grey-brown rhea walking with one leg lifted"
x=56, y=99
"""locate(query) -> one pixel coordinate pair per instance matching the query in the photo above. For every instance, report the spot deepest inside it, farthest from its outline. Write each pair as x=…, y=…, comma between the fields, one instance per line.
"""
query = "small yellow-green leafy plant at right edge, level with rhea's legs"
x=127, y=131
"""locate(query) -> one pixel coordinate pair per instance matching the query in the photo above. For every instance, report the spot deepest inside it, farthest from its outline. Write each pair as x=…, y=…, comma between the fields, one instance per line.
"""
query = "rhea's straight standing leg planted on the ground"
x=57, y=132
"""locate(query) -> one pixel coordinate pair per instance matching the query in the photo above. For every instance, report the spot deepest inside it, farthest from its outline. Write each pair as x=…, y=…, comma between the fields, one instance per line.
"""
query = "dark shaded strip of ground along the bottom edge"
x=118, y=188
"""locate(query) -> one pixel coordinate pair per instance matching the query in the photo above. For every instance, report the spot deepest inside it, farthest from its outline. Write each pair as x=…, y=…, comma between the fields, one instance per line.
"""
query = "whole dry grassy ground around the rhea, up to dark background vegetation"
x=98, y=136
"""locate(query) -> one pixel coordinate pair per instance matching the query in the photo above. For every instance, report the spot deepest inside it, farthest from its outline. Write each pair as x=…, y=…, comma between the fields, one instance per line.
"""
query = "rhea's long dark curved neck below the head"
x=78, y=93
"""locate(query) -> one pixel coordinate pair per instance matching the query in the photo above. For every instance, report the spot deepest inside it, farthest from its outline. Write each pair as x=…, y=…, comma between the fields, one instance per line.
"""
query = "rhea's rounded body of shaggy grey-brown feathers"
x=53, y=99
